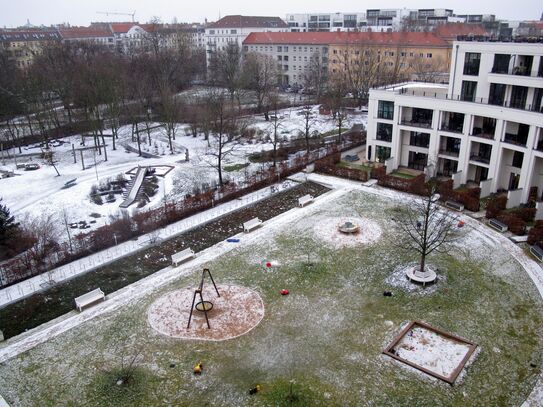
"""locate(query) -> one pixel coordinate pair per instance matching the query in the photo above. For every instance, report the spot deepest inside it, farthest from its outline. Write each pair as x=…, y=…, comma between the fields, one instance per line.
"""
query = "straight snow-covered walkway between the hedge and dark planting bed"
x=28, y=287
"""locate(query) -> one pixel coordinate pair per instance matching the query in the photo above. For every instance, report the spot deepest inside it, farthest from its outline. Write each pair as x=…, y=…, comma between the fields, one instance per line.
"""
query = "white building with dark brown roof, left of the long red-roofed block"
x=236, y=28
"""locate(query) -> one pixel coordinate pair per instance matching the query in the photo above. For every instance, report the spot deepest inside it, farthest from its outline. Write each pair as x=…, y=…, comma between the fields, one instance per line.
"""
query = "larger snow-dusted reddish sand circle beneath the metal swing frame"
x=234, y=313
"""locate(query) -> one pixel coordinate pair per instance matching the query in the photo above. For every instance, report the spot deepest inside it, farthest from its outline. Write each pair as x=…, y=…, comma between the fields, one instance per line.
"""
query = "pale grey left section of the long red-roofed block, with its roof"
x=293, y=51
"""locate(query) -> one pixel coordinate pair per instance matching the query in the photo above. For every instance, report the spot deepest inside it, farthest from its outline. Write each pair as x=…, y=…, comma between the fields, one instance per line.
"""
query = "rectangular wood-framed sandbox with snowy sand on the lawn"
x=431, y=350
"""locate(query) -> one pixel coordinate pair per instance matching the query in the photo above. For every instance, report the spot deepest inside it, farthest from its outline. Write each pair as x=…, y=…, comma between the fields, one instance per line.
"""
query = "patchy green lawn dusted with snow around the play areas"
x=327, y=335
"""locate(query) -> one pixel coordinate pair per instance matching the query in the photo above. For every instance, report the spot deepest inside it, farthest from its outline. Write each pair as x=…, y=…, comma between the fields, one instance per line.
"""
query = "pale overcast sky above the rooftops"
x=78, y=12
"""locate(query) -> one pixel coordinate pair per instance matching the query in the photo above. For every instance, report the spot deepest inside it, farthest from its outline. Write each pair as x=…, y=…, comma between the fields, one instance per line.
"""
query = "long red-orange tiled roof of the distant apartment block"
x=338, y=38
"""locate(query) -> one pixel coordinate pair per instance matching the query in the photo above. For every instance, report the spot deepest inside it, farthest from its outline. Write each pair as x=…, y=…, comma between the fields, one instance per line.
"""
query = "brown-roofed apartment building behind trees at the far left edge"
x=23, y=45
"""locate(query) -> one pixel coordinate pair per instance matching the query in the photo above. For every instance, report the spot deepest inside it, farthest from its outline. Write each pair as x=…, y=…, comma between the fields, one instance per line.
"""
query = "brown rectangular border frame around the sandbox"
x=413, y=324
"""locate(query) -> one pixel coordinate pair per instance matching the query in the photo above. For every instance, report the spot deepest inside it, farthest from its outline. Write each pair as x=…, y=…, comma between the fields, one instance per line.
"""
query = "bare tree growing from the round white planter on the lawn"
x=426, y=227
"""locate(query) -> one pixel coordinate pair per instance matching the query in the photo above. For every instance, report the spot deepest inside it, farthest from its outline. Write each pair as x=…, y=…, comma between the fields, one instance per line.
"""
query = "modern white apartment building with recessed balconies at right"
x=484, y=127
